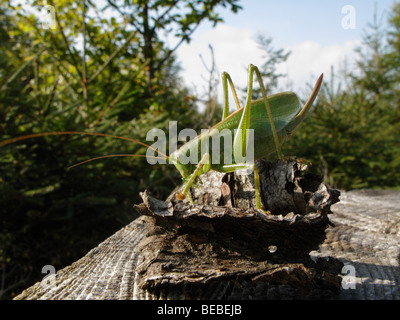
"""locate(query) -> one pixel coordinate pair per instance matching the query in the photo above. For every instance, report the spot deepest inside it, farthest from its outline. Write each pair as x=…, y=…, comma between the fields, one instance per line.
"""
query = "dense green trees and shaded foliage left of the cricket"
x=91, y=73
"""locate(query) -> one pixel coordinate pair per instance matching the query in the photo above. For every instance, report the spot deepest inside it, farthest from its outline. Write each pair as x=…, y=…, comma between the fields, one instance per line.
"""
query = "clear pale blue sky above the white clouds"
x=290, y=22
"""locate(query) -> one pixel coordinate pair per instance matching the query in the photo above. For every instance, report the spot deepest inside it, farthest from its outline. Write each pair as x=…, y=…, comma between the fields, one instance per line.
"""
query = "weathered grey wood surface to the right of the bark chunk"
x=366, y=238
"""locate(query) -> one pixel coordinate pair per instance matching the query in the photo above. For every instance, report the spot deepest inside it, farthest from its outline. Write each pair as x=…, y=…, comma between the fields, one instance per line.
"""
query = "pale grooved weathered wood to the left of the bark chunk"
x=106, y=272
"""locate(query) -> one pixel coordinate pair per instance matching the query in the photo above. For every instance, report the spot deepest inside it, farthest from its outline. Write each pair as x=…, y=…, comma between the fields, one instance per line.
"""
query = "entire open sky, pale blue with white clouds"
x=312, y=30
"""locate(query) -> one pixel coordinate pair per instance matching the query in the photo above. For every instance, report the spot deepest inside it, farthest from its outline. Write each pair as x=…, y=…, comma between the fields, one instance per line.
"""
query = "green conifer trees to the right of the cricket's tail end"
x=352, y=135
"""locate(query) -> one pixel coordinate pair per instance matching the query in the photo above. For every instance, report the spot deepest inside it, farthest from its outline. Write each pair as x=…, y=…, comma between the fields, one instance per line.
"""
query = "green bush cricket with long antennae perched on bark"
x=273, y=119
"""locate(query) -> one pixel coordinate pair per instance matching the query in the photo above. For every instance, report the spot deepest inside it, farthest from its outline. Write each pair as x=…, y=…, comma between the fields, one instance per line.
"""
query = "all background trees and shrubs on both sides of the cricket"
x=114, y=74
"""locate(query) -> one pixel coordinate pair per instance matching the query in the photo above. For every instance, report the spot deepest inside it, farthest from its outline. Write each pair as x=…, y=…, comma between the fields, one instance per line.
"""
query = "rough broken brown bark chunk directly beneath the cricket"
x=209, y=244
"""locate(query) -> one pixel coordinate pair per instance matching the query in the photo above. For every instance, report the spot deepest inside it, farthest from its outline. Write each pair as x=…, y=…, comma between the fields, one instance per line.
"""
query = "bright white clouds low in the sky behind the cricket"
x=235, y=48
